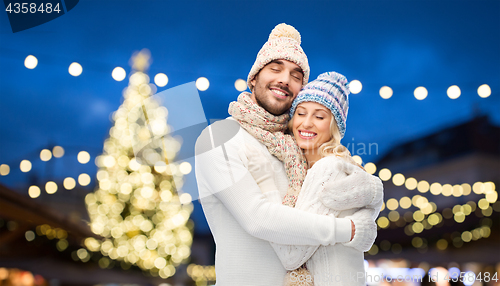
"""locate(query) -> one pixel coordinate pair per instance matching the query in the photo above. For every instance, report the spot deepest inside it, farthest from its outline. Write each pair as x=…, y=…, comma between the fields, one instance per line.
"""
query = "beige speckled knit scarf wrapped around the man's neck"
x=269, y=130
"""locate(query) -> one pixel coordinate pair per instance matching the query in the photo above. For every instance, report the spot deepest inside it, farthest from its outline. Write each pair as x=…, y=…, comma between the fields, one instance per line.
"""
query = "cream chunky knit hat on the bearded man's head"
x=283, y=43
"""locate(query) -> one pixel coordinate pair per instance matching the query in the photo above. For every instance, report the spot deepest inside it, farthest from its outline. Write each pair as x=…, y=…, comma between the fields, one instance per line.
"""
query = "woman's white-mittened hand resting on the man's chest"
x=259, y=167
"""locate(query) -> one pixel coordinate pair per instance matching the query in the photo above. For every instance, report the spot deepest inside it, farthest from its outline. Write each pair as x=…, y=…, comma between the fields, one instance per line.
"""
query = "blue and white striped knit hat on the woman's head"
x=331, y=90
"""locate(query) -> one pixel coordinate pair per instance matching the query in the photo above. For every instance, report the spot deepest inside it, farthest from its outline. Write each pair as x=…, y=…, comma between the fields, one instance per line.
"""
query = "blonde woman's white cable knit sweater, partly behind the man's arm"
x=342, y=263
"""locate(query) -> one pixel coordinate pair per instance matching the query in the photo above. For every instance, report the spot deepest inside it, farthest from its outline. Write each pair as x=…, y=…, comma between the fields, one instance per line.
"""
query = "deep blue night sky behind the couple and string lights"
x=401, y=44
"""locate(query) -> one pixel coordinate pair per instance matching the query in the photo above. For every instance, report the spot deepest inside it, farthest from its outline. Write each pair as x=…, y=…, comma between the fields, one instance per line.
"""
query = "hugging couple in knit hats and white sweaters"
x=285, y=201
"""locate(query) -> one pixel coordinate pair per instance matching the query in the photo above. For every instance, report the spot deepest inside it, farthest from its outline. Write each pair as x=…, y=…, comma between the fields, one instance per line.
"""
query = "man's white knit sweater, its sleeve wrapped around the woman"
x=243, y=221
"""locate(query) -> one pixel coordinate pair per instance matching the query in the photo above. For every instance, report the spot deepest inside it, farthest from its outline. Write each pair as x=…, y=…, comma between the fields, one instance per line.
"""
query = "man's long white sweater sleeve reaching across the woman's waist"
x=220, y=172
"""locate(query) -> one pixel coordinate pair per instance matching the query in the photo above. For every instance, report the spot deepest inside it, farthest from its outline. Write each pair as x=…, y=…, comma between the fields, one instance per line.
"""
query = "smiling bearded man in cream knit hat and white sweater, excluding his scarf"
x=241, y=219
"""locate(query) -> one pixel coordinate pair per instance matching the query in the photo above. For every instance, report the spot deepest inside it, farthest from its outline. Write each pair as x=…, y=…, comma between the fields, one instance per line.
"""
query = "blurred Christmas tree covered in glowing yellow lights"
x=137, y=207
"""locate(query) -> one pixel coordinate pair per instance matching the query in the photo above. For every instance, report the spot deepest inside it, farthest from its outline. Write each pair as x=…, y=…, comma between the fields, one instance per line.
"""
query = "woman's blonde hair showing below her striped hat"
x=333, y=147
